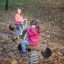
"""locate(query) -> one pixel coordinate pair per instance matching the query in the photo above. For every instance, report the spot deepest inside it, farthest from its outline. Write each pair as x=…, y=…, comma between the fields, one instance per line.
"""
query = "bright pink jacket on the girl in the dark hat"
x=33, y=36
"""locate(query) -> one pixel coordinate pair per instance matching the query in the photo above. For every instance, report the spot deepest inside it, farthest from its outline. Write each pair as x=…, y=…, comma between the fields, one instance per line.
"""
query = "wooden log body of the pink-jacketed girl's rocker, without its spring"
x=46, y=52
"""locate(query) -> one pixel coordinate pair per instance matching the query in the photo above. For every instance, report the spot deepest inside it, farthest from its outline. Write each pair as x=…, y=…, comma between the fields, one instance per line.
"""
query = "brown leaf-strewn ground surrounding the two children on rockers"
x=50, y=18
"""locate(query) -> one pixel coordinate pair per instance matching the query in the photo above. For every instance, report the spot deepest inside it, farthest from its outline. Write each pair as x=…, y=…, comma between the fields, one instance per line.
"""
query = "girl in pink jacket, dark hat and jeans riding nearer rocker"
x=33, y=34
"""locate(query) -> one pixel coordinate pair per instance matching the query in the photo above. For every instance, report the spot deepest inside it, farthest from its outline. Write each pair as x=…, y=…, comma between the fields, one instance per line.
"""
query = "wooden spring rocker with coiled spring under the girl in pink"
x=34, y=52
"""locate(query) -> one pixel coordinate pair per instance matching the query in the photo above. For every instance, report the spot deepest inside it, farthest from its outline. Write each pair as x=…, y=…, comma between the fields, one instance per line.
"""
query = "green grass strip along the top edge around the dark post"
x=14, y=4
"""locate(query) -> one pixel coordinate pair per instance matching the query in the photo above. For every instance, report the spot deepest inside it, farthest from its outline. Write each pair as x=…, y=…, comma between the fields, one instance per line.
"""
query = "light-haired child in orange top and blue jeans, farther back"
x=19, y=21
